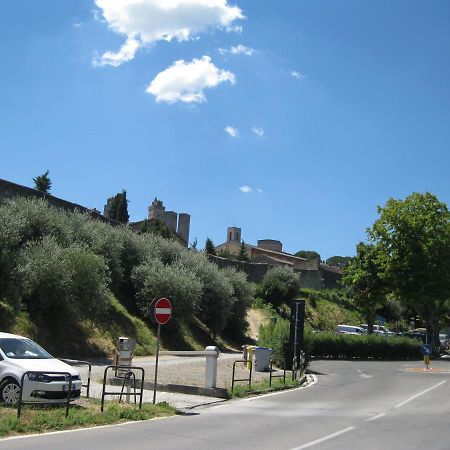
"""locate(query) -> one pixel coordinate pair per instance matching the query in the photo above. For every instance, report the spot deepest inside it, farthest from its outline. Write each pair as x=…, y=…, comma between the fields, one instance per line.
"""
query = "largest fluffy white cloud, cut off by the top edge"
x=147, y=21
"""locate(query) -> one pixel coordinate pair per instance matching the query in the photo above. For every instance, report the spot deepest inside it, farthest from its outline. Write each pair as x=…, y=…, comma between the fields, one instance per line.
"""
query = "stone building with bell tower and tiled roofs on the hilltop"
x=314, y=274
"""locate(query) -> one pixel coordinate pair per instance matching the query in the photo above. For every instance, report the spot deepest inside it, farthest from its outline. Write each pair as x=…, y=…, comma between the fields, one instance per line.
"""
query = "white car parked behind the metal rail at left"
x=19, y=355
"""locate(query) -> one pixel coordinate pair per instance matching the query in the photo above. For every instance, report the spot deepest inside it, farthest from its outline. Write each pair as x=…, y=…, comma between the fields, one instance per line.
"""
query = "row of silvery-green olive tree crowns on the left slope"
x=57, y=264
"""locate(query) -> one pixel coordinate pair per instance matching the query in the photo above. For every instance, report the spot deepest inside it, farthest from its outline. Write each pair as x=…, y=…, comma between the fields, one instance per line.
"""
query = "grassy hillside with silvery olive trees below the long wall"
x=76, y=284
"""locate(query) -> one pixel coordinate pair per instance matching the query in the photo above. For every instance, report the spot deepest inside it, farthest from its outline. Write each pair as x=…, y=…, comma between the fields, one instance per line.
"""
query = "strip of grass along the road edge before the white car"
x=85, y=413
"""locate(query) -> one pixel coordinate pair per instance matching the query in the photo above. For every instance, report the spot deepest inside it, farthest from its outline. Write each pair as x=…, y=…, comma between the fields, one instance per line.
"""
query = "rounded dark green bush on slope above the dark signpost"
x=280, y=285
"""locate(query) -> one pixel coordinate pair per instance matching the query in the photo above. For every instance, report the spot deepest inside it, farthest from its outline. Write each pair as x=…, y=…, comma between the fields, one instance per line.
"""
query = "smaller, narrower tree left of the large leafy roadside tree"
x=363, y=276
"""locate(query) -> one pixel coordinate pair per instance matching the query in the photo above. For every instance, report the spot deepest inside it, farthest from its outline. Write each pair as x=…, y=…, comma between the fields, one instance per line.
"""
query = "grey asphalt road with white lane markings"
x=353, y=405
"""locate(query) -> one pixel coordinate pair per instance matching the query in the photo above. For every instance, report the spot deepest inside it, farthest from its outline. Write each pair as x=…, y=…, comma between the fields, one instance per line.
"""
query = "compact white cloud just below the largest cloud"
x=185, y=82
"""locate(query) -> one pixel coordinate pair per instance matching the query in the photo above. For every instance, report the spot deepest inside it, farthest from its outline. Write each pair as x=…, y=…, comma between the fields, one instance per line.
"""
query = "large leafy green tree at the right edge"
x=413, y=236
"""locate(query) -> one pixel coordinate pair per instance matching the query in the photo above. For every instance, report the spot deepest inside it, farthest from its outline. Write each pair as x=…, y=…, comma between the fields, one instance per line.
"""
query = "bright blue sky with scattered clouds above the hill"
x=292, y=120
